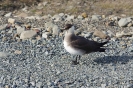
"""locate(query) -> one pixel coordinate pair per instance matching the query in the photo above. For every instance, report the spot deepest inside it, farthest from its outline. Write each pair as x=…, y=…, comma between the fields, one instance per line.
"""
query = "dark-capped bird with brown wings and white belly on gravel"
x=78, y=45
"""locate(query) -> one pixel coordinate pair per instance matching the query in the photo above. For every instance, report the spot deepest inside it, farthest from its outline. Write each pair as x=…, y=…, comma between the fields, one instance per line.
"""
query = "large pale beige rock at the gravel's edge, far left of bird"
x=27, y=34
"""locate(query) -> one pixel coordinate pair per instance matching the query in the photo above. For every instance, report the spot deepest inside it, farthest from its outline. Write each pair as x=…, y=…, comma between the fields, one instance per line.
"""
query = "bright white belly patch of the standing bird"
x=73, y=50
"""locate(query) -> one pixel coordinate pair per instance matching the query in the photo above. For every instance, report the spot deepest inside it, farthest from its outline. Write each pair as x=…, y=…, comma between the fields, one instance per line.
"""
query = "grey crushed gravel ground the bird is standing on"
x=46, y=64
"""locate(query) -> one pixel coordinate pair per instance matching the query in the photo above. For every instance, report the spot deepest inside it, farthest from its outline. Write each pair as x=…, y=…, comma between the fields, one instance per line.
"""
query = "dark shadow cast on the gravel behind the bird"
x=113, y=59
